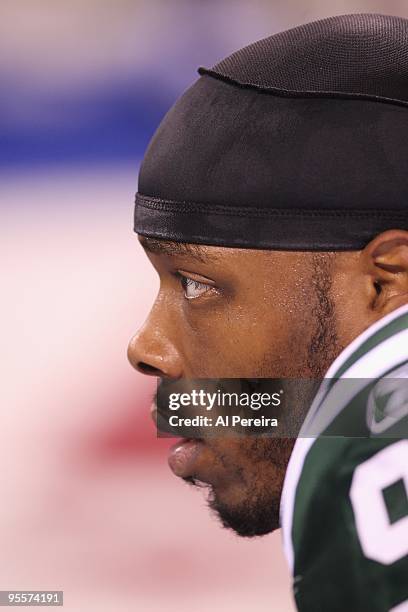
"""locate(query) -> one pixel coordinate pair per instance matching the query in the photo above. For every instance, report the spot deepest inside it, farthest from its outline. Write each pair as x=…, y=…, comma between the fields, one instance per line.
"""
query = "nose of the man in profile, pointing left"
x=151, y=351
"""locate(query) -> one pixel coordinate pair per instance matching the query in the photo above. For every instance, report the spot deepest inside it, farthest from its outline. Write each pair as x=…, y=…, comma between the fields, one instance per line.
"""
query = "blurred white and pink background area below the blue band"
x=89, y=505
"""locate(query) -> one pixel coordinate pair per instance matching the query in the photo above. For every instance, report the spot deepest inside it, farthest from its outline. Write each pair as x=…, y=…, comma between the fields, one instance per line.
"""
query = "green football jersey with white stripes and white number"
x=344, y=509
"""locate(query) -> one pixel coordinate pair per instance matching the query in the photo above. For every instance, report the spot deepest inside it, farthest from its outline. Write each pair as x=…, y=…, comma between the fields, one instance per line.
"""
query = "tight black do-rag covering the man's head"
x=296, y=142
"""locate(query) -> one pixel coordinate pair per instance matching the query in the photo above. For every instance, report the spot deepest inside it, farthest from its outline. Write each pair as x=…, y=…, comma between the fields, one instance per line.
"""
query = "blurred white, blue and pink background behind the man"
x=88, y=503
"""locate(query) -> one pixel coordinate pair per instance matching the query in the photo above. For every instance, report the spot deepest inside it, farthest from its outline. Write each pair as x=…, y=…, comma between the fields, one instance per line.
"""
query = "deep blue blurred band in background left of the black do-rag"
x=110, y=123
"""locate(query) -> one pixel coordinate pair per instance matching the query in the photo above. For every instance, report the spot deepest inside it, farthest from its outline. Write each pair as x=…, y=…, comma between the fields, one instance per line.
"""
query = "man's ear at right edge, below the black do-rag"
x=386, y=261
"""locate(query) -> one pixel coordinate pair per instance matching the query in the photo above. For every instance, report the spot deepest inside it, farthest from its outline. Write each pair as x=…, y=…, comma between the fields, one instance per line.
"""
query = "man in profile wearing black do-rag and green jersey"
x=273, y=203
